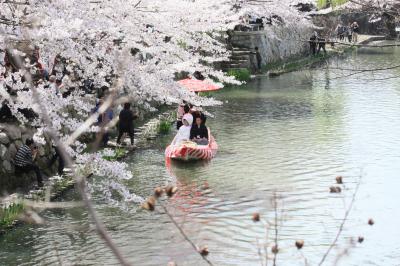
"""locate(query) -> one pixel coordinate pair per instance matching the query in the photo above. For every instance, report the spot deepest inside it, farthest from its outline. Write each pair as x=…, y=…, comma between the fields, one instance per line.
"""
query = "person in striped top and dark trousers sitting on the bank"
x=24, y=160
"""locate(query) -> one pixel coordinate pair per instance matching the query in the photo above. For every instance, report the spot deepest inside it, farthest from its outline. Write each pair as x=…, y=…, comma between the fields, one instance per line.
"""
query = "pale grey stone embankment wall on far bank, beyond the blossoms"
x=275, y=43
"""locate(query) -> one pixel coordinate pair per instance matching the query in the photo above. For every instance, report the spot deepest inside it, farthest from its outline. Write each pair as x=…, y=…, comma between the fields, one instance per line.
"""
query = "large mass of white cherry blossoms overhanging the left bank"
x=143, y=43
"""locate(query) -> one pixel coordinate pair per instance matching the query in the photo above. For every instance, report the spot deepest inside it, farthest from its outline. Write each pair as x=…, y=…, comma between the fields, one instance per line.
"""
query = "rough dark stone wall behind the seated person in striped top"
x=11, y=138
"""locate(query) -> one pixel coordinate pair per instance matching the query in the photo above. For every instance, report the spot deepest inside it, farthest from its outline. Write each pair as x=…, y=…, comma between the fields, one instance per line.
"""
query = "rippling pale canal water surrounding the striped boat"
x=282, y=141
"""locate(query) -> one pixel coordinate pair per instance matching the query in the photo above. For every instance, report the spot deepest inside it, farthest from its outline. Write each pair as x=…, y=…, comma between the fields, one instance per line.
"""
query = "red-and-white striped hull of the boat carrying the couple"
x=190, y=151
